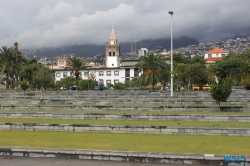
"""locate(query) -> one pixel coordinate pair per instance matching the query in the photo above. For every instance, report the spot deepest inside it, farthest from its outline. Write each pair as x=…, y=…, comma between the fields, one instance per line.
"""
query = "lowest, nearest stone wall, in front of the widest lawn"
x=124, y=156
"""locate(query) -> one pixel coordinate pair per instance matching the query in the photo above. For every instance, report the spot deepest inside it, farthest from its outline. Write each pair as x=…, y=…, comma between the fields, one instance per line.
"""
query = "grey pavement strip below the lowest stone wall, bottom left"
x=28, y=161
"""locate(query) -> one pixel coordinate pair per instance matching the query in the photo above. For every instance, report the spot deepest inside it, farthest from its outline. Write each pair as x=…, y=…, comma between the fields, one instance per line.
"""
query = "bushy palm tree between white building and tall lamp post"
x=154, y=67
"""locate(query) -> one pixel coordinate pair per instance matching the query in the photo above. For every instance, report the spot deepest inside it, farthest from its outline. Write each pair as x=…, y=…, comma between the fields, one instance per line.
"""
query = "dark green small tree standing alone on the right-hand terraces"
x=221, y=90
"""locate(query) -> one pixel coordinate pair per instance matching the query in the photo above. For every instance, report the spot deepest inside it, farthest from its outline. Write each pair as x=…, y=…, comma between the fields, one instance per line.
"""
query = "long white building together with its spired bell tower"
x=113, y=72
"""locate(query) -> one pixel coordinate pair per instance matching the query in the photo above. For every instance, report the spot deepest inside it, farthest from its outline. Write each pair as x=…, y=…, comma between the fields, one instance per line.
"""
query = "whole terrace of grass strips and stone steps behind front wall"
x=141, y=109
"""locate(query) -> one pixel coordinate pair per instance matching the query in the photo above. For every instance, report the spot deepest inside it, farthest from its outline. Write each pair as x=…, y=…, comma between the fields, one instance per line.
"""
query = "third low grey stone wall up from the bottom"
x=212, y=118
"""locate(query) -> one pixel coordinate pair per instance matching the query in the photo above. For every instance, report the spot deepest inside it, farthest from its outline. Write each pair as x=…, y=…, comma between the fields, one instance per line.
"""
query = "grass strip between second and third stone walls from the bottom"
x=126, y=122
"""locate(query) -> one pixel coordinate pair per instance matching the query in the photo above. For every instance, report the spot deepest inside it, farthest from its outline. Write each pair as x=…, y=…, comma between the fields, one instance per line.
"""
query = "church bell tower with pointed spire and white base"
x=112, y=57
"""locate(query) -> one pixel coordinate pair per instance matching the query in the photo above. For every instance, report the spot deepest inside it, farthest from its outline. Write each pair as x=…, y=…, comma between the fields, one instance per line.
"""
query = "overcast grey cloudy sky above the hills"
x=57, y=23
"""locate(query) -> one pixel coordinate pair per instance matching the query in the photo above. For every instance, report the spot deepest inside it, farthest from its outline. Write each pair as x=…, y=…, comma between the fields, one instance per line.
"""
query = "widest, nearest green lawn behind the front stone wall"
x=234, y=145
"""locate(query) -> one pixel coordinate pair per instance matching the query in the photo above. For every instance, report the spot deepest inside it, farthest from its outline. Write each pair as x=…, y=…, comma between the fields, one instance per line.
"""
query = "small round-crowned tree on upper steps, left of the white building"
x=43, y=79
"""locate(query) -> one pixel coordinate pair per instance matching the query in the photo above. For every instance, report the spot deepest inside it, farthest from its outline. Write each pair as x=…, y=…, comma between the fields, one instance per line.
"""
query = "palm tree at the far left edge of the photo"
x=8, y=66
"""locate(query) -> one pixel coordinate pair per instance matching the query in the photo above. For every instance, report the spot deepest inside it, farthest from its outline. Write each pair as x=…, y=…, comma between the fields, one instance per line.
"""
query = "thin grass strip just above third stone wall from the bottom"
x=128, y=112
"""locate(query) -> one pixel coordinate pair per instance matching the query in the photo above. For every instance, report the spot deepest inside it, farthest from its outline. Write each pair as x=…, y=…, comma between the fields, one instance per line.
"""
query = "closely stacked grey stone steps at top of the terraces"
x=238, y=97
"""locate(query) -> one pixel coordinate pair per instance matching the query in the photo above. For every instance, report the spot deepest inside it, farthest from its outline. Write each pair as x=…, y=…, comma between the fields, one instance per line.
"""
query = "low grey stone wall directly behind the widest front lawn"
x=127, y=129
